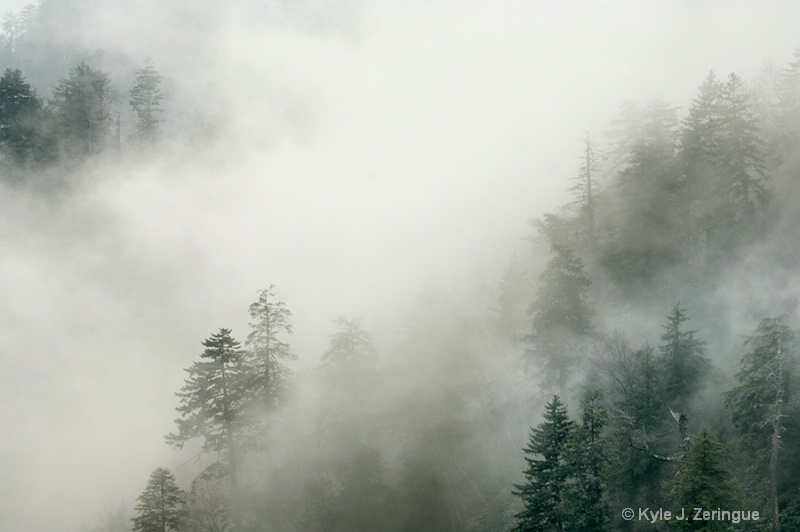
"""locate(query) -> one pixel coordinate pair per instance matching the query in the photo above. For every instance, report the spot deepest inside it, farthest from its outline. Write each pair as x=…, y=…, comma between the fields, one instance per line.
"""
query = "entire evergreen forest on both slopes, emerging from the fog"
x=641, y=352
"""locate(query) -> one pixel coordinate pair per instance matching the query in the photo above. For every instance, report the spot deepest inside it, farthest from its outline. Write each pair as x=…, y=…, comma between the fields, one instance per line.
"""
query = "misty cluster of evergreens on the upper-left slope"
x=81, y=117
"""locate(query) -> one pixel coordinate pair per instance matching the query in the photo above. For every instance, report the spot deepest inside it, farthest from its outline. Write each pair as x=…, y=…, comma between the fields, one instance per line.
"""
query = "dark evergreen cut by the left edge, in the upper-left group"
x=20, y=113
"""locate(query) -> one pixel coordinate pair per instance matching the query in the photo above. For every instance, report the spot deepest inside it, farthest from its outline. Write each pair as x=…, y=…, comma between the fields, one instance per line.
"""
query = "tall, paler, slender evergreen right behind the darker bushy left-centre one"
x=266, y=347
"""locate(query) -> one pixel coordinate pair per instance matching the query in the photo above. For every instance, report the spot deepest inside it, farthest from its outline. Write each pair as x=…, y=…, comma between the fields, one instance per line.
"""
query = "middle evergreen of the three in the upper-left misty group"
x=83, y=104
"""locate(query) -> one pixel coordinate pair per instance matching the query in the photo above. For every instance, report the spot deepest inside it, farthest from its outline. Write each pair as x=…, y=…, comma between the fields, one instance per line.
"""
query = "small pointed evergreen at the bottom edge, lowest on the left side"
x=160, y=505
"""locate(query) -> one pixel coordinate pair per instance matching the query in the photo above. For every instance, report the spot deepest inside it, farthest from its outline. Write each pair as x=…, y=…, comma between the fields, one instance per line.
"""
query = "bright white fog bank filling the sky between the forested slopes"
x=361, y=151
